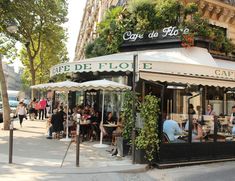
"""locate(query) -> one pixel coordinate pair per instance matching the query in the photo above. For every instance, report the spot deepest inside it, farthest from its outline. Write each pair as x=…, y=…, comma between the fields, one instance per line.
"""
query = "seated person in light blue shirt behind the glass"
x=172, y=129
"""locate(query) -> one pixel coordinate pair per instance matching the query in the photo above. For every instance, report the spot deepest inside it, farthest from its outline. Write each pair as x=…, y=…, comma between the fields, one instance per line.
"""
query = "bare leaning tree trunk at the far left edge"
x=5, y=103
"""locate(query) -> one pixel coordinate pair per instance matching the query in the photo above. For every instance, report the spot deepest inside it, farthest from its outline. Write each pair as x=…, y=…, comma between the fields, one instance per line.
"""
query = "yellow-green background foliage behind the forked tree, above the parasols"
x=52, y=52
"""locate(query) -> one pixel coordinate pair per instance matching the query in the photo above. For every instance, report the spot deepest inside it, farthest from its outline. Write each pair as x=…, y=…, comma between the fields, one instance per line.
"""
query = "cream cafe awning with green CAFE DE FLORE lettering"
x=192, y=62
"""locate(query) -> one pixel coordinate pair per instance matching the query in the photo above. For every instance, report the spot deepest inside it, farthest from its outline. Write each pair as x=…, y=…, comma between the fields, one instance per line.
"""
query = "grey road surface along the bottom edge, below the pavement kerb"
x=209, y=172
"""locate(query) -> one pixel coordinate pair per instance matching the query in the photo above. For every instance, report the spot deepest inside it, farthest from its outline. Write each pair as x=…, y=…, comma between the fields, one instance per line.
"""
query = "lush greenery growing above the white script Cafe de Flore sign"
x=144, y=16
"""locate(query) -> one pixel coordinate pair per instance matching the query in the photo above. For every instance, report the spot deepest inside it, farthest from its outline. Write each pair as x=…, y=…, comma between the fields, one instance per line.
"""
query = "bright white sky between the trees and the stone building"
x=75, y=14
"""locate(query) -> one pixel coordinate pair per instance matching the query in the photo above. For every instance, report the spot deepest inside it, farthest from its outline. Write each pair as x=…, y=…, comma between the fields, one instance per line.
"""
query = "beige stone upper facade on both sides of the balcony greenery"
x=220, y=13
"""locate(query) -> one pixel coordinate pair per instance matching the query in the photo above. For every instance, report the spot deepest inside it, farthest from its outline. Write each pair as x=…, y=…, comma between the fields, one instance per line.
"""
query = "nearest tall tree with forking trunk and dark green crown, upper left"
x=35, y=19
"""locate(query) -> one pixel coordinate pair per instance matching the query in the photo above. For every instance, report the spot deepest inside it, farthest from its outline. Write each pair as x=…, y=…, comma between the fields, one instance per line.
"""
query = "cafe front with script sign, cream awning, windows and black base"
x=179, y=77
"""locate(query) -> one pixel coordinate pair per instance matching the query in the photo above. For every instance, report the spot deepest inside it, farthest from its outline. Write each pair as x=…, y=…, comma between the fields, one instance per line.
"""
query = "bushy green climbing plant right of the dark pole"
x=148, y=138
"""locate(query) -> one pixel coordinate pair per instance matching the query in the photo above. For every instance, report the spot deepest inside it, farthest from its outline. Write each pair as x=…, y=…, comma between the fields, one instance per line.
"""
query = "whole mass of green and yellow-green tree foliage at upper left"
x=39, y=29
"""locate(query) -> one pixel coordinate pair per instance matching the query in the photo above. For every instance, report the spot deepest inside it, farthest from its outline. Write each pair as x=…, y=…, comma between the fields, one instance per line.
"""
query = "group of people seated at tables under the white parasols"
x=90, y=122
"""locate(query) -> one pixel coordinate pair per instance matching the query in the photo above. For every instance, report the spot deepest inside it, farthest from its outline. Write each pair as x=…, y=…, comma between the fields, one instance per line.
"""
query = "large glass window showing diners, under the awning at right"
x=204, y=112
